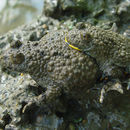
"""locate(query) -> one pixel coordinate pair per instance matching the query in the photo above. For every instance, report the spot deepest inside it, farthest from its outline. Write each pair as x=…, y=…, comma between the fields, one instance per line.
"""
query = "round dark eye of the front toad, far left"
x=17, y=58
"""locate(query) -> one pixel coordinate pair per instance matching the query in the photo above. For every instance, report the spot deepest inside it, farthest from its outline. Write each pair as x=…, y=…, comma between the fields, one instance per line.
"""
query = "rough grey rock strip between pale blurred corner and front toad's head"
x=31, y=32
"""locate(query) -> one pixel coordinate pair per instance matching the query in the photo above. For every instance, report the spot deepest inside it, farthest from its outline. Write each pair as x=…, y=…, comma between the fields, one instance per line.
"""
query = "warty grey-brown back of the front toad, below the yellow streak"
x=53, y=60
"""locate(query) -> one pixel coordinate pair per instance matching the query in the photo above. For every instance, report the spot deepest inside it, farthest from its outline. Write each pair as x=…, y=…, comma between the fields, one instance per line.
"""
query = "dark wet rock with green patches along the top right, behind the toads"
x=95, y=12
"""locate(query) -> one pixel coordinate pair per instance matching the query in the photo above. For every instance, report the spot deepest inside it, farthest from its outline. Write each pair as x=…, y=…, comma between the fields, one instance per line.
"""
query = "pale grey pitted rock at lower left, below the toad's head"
x=14, y=95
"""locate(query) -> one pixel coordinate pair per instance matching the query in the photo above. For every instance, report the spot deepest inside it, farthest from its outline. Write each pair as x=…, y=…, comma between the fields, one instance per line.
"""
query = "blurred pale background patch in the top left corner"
x=17, y=12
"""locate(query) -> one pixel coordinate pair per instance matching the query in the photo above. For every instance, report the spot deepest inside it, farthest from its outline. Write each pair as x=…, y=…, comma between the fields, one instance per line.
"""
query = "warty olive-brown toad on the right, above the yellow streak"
x=105, y=46
